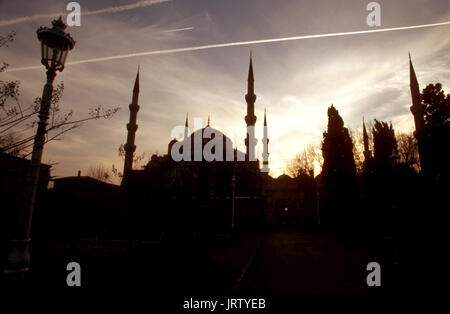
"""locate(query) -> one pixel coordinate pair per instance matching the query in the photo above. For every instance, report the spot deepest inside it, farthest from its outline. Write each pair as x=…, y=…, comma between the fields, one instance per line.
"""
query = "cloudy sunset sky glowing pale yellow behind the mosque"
x=296, y=80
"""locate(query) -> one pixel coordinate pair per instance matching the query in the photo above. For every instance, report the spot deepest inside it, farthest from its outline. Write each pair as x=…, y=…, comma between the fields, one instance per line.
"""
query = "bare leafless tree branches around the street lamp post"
x=18, y=122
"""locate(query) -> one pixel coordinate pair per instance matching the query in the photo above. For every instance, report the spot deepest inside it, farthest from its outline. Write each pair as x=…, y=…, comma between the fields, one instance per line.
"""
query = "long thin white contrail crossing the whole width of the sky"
x=239, y=43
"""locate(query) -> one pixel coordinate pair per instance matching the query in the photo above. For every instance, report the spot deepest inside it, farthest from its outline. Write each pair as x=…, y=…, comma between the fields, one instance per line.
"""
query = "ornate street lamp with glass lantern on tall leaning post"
x=55, y=45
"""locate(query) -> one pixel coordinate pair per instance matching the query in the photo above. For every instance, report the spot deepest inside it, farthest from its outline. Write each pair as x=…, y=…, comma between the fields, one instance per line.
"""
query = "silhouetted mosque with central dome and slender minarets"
x=195, y=194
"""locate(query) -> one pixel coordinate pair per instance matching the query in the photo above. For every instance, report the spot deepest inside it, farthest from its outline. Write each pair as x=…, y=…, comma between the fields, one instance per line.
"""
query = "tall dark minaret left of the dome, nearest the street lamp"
x=132, y=128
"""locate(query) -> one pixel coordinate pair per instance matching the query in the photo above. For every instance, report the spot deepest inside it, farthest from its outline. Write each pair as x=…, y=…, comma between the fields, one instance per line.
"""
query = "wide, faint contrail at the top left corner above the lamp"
x=121, y=8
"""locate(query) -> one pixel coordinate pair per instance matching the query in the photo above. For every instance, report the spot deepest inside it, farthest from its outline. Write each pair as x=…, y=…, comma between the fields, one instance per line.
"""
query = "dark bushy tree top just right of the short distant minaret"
x=384, y=144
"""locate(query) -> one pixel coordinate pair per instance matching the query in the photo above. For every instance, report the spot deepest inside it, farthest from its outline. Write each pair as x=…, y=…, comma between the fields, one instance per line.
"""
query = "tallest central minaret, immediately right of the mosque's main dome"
x=250, y=118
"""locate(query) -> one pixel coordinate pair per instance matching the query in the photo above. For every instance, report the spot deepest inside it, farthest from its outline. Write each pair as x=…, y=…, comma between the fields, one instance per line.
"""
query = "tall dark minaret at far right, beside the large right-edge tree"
x=417, y=109
